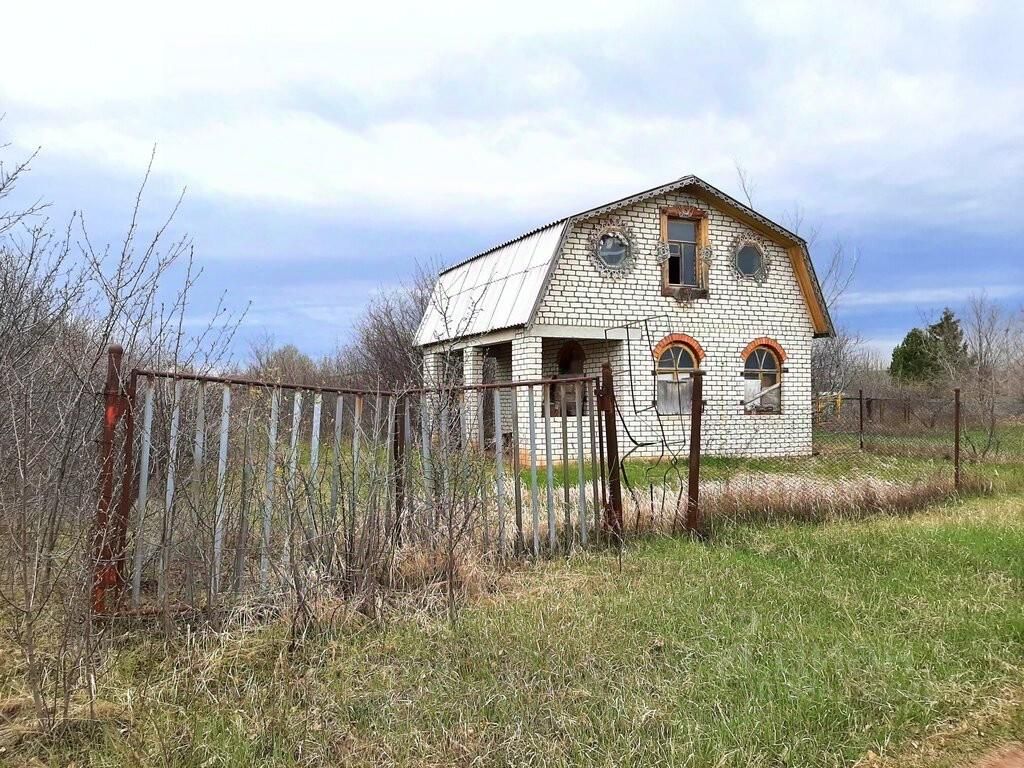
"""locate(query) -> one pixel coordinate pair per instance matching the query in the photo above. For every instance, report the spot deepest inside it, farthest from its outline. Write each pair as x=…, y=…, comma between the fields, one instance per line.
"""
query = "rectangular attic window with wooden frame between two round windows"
x=685, y=237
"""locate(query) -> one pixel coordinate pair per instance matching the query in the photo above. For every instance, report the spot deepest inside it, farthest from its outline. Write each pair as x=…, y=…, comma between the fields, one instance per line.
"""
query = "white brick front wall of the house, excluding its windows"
x=736, y=313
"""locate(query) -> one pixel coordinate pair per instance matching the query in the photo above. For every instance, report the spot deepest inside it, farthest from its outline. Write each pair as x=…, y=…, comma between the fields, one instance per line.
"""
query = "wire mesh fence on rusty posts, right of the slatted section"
x=869, y=453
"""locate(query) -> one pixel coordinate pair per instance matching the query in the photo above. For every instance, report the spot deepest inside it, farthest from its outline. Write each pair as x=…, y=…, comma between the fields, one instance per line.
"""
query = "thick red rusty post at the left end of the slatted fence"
x=105, y=567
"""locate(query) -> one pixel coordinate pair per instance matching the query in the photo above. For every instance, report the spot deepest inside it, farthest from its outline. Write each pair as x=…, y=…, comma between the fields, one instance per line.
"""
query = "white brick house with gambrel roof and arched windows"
x=677, y=277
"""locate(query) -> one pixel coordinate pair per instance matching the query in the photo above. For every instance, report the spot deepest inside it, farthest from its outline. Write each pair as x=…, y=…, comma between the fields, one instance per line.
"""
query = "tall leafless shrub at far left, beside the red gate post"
x=63, y=303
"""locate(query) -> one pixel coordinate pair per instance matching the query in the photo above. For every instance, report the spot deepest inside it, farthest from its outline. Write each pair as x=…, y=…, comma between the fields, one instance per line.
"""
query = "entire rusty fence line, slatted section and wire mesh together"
x=232, y=488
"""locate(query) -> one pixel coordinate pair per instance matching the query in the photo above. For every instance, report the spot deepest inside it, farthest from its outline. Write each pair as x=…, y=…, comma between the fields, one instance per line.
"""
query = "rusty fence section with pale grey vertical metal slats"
x=233, y=487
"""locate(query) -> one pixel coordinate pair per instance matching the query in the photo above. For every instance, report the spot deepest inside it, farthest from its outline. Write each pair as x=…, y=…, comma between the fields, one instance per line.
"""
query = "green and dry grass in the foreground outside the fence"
x=774, y=646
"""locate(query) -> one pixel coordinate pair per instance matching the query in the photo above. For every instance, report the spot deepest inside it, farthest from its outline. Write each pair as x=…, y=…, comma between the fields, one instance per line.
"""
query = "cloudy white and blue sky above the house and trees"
x=327, y=148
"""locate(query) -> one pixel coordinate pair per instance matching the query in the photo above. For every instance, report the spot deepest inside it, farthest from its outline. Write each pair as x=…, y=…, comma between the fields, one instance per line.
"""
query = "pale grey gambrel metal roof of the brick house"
x=501, y=287
